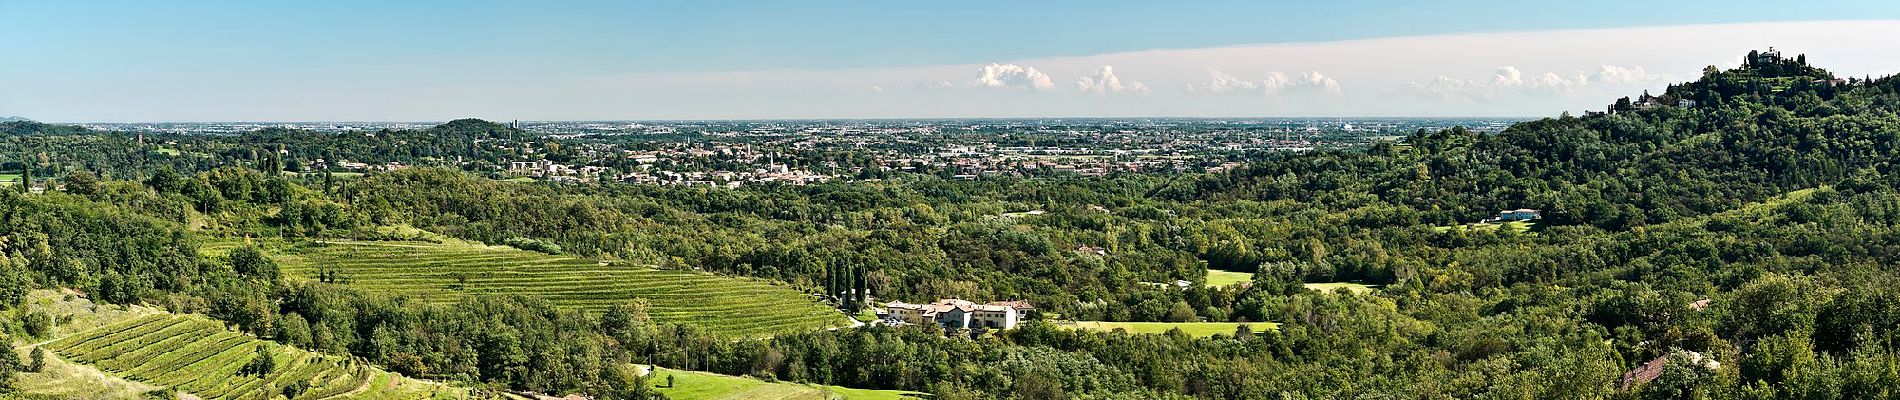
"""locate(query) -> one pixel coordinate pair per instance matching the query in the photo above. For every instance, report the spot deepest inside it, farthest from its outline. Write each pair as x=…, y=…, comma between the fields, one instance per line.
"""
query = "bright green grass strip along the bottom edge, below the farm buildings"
x=706, y=386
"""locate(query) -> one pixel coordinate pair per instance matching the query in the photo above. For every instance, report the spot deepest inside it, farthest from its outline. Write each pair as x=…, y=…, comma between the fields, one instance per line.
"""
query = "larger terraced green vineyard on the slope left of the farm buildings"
x=446, y=274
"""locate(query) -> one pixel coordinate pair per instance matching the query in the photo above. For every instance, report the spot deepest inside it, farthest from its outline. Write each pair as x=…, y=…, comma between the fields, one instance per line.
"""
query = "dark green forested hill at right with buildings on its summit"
x=1732, y=137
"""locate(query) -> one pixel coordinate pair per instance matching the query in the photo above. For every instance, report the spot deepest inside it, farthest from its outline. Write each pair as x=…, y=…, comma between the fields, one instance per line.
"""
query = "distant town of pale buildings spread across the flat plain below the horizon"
x=732, y=155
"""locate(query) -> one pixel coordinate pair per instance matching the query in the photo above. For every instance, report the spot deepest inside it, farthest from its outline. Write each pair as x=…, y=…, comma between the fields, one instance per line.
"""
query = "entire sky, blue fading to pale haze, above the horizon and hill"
x=580, y=60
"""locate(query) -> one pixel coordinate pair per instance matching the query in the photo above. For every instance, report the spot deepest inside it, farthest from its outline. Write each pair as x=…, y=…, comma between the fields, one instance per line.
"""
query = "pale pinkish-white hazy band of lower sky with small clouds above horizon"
x=1454, y=75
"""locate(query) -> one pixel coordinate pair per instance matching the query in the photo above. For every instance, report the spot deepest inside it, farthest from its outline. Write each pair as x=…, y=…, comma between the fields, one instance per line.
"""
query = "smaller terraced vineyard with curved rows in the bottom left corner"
x=199, y=355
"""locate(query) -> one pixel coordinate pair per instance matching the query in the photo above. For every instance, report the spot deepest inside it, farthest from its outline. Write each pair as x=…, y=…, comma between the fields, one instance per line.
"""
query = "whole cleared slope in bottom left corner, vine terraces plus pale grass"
x=124, y=352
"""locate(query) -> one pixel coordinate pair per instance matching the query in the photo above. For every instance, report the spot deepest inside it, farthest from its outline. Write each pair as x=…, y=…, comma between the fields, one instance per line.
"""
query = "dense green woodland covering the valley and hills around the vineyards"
x=1774, y=198
